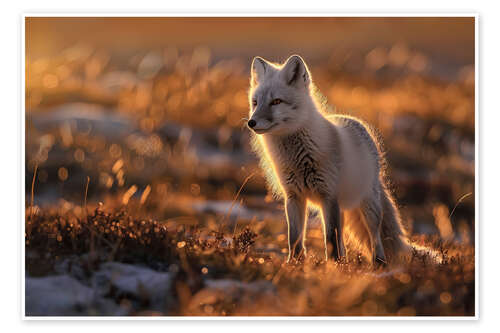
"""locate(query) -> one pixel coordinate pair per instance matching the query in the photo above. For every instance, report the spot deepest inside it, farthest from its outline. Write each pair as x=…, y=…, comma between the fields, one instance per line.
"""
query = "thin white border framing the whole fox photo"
x=242, y=15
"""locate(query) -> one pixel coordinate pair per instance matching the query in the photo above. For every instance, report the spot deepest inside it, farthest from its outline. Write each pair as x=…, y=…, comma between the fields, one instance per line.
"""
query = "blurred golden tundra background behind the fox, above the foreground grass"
x=152, y=110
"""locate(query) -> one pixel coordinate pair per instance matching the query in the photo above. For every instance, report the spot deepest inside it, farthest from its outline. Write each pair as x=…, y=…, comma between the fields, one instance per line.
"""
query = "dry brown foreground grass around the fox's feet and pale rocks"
x=198, y=253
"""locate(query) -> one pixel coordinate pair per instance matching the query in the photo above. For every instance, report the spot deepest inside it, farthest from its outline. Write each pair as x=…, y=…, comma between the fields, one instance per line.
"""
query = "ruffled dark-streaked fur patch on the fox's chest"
x=299, y=165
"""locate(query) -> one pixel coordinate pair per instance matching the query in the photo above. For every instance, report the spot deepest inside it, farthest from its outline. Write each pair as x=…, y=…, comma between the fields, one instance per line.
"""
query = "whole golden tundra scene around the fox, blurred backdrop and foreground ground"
x=144, y=197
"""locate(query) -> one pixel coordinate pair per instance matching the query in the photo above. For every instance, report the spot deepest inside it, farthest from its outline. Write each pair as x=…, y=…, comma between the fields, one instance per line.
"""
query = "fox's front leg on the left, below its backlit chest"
x=295, y=208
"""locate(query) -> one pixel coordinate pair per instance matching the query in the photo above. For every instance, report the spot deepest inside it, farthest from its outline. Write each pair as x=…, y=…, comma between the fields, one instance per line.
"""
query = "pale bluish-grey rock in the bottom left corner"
x=63, y=295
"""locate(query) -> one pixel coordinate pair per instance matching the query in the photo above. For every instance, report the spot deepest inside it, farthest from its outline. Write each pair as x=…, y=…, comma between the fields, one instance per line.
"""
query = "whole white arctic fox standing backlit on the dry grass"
x=332, y=161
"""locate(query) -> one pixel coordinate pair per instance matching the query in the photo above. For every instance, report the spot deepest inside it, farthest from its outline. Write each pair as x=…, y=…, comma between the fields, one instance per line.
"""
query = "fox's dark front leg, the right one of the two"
x=333, y=228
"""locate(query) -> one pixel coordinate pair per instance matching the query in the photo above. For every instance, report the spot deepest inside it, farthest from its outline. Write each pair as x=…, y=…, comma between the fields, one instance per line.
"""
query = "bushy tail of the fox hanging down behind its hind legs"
x=393, y=234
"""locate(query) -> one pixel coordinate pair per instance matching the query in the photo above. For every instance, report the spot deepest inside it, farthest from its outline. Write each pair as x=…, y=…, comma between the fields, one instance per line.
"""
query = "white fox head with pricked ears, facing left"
x=279, y=96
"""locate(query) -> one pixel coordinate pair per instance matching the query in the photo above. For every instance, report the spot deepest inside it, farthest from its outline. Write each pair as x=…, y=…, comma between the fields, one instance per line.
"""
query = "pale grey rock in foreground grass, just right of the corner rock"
x=138, y=283
